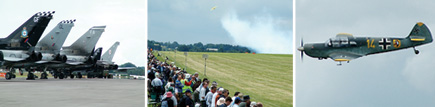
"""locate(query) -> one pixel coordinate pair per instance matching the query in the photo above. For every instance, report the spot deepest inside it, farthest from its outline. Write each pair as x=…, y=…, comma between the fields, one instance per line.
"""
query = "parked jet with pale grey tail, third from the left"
x=79, y=54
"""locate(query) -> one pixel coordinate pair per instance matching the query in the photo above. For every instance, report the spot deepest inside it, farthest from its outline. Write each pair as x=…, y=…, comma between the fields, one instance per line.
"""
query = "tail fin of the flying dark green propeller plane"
x=420, y=33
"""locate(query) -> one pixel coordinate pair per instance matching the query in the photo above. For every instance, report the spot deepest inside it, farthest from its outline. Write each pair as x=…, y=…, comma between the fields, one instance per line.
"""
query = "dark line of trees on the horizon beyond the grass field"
x=197, y=47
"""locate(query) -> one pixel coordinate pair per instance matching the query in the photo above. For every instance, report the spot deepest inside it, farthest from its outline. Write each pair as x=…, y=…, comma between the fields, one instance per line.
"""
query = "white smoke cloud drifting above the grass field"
x=261, y=34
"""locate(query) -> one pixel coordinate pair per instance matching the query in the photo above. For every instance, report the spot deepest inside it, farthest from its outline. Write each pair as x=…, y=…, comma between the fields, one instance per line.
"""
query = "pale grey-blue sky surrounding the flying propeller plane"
x=398, y=78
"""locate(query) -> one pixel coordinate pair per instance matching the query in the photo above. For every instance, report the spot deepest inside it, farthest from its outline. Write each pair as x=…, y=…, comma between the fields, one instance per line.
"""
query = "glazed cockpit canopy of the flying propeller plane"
x=341, y=40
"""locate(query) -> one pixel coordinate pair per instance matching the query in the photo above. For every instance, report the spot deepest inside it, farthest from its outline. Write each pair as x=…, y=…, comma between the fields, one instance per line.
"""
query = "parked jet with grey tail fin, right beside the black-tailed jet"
x=49, y=47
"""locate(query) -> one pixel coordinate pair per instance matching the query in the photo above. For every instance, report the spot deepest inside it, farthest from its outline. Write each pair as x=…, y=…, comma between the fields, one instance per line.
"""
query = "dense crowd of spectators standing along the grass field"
x=175, y=87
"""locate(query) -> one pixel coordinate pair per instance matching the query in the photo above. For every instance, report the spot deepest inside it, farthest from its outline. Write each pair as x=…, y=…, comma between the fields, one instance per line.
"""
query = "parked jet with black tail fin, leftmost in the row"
x=19, y=45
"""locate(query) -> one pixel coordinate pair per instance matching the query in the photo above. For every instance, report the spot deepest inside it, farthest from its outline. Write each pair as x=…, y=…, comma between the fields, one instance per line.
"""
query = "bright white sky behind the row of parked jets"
x=124, y=20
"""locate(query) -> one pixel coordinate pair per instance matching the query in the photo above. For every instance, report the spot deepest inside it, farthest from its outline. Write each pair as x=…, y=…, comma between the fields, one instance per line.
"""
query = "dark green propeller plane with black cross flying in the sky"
x=346, y=47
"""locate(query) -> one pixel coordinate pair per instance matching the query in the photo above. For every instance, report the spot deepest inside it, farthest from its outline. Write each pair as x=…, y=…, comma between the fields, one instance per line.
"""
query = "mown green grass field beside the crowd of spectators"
x=266, y=78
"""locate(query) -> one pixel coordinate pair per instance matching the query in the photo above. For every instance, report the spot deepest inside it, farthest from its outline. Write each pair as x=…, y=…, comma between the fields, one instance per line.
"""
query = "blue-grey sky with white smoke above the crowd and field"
x=263, y=25
